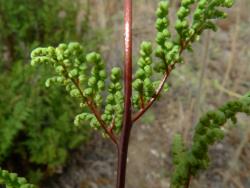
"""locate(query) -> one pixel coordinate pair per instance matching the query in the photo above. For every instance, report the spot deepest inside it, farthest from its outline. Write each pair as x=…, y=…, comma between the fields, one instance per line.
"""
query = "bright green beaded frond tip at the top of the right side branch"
x=205, y=13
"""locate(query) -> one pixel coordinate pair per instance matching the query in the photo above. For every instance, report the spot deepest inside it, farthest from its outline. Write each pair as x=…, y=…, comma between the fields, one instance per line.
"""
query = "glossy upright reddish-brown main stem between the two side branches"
x=127, y=120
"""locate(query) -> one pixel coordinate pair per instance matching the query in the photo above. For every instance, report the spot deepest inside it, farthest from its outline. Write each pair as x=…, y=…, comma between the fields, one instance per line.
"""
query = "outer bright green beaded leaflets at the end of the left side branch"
x=71, y=64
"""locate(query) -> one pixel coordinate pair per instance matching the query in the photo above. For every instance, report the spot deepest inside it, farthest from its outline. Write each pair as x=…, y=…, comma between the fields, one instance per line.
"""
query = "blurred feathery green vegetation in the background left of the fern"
x=36, y=129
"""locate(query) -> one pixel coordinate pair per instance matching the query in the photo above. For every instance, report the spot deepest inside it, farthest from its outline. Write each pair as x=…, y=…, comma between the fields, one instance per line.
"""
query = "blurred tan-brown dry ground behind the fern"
x=217, y=71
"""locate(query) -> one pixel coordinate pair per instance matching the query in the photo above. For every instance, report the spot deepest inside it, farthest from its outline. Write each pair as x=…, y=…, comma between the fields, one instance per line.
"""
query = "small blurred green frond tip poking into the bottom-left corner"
x=12, y=180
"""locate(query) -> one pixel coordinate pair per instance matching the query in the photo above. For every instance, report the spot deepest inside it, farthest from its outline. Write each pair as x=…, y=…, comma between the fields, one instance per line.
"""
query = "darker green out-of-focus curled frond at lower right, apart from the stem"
x=207, y=132
